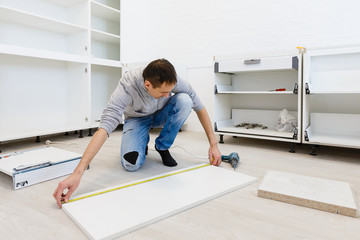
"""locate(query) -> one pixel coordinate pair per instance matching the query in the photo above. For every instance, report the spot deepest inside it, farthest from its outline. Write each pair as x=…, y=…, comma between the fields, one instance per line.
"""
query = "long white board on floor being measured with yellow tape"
x=118, y=212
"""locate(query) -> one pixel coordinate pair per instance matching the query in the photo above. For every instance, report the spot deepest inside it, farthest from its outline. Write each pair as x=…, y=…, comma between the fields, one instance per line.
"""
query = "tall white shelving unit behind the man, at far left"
x=59, y=64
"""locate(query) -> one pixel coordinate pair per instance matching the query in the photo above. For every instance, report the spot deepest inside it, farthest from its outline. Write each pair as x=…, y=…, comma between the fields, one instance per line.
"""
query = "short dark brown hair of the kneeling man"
x=160, y=71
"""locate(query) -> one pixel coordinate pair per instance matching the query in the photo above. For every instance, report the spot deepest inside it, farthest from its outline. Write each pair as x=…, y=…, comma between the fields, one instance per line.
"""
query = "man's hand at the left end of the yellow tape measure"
x=70, y=184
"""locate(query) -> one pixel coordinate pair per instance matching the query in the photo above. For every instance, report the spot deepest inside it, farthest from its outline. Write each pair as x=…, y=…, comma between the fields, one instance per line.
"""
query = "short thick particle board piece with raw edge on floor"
x=323, y=194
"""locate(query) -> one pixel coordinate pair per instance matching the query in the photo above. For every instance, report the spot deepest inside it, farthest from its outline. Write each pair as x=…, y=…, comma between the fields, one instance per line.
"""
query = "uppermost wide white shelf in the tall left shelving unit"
x=28, y=19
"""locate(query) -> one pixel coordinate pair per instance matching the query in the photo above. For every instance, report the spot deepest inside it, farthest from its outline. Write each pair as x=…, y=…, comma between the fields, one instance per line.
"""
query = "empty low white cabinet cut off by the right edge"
x=331, y=97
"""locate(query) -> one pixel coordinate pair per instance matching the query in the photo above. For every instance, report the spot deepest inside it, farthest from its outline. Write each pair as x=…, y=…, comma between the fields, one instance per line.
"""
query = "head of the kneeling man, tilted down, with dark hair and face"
x=159, y=78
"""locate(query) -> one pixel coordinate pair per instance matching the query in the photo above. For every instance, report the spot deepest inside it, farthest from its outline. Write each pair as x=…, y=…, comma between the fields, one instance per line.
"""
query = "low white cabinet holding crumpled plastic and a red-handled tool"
x=245, y=93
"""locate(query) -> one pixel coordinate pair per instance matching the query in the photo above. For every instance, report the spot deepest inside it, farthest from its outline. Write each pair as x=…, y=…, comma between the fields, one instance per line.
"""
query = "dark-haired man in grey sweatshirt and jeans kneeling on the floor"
x=153, y=97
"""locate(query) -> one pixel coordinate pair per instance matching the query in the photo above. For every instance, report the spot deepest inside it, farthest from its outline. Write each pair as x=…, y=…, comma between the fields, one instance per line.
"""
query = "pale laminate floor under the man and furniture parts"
x=31, y=213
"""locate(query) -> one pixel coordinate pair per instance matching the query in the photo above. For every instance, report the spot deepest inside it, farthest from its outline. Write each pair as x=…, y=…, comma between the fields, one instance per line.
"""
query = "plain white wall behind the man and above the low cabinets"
x=191, y=32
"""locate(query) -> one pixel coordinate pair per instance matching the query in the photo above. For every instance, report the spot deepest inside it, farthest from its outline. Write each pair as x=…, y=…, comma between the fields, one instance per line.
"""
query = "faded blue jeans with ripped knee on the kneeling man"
x=136, y=130
